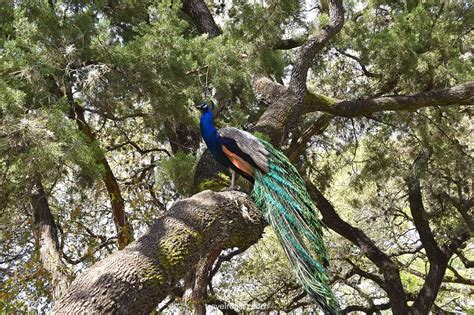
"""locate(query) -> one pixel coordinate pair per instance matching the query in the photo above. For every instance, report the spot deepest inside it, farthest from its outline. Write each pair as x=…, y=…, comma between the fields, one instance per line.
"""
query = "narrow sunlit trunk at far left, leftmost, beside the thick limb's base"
x=46, y=234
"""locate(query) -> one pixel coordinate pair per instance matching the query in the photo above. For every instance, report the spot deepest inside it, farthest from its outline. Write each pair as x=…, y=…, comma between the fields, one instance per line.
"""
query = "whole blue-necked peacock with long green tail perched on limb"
x=281, y=193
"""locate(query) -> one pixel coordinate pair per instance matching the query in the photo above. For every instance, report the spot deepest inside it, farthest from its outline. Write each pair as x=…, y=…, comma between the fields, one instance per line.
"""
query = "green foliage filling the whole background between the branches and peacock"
x=136, y=67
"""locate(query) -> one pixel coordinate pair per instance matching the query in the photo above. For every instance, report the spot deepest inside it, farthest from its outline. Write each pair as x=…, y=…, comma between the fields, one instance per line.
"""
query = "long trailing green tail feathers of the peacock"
x=281, y=194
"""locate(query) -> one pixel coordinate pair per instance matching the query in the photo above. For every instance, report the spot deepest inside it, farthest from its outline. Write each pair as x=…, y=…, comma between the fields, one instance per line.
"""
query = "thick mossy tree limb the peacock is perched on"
x=135, y=279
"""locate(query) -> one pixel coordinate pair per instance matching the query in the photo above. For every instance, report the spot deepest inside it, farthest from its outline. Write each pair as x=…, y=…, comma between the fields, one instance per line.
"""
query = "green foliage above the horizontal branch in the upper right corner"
x=421, y=47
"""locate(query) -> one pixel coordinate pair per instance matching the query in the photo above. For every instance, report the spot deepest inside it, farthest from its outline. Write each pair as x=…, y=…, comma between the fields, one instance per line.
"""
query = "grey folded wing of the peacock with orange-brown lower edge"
x=239, y=145
